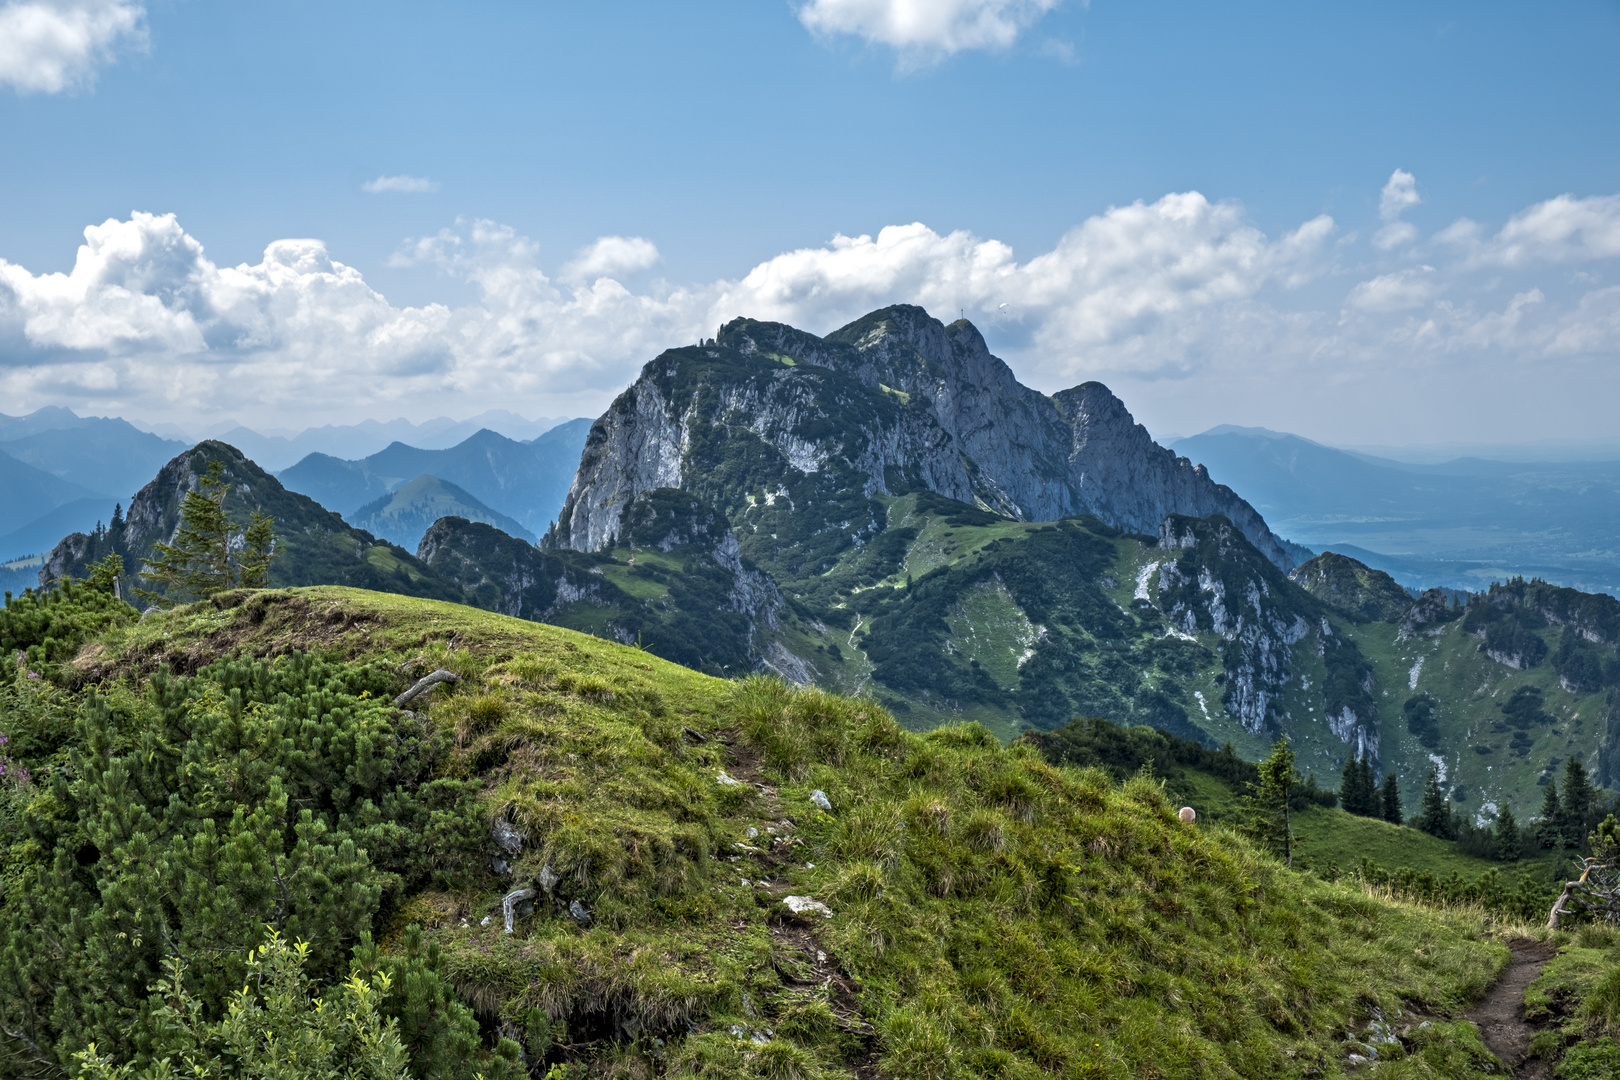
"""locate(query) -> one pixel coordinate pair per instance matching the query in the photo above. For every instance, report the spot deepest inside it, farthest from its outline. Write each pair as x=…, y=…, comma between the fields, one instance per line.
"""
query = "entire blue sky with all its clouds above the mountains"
x=1365, y=224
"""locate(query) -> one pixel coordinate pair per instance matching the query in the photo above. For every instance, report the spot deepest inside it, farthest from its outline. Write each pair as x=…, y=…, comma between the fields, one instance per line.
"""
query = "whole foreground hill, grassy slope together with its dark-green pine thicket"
x=992, y=916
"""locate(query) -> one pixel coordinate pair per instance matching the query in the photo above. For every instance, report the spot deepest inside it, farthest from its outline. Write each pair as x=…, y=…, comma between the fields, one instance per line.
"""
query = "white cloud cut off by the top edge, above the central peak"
x=927, y=30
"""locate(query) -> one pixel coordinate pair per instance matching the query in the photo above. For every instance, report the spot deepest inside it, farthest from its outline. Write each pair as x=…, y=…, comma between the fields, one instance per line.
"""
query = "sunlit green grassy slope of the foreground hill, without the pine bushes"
x=992, y=916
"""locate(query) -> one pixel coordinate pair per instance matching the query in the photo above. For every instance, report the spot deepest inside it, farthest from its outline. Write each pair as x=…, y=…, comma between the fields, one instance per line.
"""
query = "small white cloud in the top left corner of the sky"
x=49, y=46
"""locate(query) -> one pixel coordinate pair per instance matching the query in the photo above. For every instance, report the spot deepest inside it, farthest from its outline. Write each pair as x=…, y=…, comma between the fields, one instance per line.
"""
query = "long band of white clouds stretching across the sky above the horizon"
x=1180, y=289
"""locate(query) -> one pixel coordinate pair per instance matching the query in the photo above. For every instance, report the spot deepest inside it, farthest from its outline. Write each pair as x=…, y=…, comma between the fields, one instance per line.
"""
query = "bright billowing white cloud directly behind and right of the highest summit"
x=1114, y=289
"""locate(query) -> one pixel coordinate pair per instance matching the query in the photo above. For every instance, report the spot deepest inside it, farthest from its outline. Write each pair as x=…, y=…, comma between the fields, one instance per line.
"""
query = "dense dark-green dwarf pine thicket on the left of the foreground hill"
x=185, y=820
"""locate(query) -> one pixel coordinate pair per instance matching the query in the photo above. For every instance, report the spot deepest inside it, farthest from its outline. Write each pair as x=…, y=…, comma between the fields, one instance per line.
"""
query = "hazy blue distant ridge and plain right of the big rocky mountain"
x=1459, y=525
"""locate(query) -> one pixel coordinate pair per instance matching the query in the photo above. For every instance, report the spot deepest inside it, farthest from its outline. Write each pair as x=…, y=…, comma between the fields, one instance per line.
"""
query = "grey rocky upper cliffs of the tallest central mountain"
x=893, y=396
